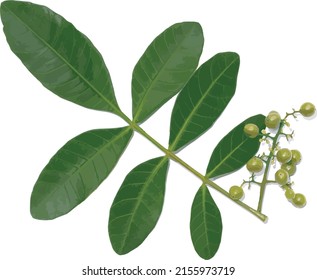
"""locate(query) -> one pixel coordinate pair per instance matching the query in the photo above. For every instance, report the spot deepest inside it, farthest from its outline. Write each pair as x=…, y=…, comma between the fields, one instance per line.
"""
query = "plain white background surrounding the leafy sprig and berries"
x=277, y=44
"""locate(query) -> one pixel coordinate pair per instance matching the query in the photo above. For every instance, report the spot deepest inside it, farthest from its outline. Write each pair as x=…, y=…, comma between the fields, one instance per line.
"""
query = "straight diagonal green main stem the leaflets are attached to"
x=203, y=178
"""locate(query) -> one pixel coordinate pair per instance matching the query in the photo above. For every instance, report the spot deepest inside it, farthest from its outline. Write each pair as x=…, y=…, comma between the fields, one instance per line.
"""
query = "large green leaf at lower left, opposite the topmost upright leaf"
x=76, y=170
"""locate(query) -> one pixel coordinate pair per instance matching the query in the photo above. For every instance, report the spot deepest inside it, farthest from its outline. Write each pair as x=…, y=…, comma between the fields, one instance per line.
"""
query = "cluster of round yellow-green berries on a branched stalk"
x=287, y=159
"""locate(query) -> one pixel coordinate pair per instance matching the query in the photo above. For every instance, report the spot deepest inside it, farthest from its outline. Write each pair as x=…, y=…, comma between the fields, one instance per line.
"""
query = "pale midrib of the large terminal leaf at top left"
x=116, y=109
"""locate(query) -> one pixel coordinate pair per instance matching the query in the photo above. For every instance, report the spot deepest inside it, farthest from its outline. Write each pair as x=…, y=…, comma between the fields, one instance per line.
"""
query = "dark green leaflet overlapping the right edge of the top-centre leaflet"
x=203, y=99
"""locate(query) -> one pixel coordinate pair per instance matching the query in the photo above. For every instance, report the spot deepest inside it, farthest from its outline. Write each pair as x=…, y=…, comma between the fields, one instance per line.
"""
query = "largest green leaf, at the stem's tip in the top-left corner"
x=58, y=55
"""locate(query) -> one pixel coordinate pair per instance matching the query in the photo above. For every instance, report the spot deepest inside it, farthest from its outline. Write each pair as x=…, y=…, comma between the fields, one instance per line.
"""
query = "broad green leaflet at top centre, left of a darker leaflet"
x=165, y=67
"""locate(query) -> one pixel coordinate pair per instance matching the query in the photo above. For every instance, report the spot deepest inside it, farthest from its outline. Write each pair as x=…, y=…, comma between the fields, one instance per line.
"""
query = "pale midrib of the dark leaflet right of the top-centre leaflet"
x=193, y=111
